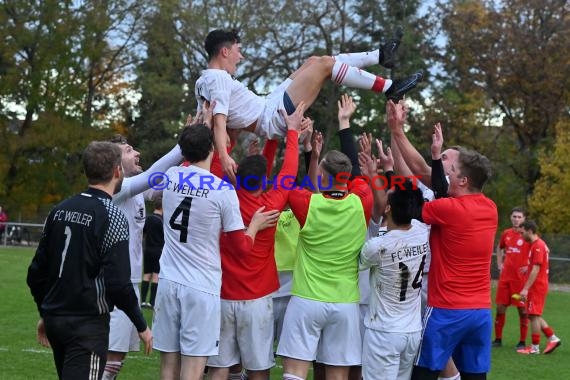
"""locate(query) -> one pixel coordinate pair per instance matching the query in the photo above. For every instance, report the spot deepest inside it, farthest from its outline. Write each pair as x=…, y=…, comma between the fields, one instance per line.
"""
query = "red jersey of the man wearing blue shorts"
x=461, y=240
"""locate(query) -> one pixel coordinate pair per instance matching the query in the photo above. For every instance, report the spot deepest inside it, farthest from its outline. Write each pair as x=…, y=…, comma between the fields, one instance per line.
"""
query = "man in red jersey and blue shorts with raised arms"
x=458, y=320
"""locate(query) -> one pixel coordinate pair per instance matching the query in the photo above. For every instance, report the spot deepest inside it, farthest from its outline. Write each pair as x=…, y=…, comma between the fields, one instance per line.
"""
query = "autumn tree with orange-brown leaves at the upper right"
x=503, y=79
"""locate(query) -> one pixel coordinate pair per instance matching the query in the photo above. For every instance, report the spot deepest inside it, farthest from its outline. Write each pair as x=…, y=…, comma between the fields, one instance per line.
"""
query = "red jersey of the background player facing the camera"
x=515, y=258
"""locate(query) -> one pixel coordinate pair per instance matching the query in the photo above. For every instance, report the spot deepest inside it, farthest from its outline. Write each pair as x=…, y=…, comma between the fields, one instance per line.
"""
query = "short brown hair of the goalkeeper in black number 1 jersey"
x=100, y=158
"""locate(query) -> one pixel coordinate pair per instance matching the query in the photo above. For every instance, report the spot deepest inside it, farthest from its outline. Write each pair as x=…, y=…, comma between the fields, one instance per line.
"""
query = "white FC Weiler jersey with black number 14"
x=396, y=260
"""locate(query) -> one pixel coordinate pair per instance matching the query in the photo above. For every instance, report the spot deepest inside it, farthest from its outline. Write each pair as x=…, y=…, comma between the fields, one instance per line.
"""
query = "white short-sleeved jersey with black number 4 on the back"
x=197, y=206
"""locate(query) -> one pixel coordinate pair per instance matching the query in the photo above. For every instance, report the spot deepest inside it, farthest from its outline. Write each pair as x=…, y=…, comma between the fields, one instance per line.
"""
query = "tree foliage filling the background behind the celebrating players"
x=497, y=77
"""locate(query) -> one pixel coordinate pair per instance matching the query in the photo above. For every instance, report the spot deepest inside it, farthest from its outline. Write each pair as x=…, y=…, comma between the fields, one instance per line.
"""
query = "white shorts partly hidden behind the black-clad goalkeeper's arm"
x=123, y=335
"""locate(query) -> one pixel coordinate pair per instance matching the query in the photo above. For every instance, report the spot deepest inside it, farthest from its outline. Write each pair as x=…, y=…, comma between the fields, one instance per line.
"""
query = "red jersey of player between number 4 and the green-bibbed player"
x=255, y=275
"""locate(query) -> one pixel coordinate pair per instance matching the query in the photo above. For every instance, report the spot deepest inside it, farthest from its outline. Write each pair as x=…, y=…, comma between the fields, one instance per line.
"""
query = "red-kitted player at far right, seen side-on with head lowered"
x=536, y=289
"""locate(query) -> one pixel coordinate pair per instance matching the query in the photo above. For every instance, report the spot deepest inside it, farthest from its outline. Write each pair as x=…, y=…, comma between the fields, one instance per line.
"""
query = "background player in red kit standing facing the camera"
x=512, y=262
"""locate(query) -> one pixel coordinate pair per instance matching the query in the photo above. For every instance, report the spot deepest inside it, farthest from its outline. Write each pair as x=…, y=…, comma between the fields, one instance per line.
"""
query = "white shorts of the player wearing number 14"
x=389, y=355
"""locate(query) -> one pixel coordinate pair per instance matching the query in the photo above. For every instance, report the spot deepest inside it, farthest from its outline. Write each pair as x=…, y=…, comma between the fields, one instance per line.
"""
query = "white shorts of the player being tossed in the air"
x=271, y=123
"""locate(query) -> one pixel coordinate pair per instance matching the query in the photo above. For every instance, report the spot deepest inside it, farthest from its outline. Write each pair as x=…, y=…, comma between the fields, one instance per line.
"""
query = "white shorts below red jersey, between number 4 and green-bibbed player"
x=246, y=335
